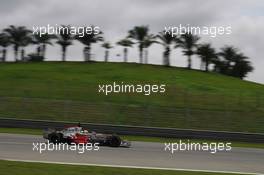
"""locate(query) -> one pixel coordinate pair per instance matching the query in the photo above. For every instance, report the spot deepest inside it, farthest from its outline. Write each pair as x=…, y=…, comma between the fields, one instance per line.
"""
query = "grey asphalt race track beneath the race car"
x=141, y=154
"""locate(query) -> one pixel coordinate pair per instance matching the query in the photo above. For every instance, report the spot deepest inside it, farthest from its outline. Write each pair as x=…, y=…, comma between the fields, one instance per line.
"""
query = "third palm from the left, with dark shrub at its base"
x=42, y=42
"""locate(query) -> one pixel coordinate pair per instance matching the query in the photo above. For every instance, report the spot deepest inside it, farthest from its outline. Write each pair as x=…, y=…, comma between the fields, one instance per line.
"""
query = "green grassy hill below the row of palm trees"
x=69, y=91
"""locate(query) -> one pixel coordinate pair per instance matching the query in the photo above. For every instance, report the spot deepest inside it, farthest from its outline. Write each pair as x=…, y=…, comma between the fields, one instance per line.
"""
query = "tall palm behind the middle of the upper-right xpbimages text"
x=188, y=42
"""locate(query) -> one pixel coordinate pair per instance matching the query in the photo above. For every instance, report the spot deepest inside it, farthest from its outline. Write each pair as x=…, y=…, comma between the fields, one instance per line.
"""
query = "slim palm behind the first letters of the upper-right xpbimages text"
x=166, y=40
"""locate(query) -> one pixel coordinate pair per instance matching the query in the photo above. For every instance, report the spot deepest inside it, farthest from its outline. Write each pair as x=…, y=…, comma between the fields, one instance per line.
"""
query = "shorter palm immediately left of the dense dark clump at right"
x=206, y=53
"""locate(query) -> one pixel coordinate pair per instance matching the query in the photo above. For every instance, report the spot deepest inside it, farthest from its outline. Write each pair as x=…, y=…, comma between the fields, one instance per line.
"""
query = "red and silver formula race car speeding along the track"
x=78, y=135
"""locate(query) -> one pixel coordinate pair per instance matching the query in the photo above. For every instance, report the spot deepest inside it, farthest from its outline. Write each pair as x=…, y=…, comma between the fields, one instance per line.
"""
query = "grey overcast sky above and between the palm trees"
x=116, y=17
